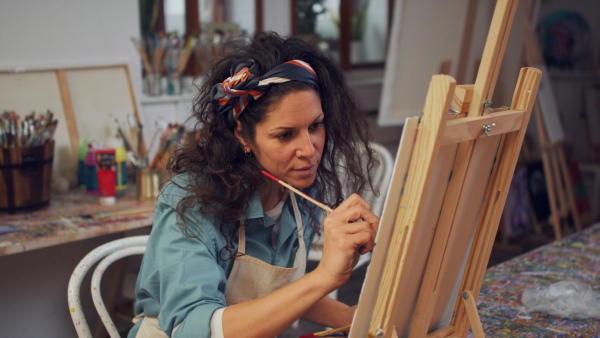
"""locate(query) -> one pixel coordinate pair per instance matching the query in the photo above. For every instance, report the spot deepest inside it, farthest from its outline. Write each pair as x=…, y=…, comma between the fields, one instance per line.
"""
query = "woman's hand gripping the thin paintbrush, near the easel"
x=349, y=231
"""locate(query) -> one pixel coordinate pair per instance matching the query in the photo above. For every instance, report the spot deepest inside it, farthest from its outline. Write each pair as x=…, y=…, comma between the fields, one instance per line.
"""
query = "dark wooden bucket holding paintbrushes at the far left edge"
x=25, y=177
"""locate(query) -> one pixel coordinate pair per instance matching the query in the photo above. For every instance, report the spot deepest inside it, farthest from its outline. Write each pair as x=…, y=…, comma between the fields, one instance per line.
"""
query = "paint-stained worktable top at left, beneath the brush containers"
x=71, y=217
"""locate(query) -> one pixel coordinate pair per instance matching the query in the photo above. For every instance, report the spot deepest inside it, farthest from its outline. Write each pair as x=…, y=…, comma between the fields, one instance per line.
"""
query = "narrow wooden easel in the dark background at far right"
x=558, y=181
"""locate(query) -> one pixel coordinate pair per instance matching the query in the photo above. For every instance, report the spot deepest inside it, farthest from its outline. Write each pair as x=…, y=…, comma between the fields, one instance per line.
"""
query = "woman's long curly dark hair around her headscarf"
x=222, y=177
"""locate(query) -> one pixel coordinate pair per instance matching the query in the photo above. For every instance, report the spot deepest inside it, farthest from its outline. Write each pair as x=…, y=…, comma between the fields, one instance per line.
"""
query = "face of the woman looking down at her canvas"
x=289, y=141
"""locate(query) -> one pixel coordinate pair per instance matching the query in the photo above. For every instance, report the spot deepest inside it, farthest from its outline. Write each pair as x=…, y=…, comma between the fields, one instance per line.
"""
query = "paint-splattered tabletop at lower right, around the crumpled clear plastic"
x=575, y=258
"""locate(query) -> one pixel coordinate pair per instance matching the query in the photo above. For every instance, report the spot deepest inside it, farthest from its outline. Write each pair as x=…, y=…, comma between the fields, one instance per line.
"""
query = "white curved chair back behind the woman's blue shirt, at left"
x=108, y=253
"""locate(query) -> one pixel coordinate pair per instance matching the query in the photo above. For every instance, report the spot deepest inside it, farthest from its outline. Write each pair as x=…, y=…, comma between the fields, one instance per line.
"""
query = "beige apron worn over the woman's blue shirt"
x=250, y=278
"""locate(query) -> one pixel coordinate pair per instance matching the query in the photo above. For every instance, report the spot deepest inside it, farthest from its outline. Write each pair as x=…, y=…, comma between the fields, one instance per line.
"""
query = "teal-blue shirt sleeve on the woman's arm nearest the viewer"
x=181, y=277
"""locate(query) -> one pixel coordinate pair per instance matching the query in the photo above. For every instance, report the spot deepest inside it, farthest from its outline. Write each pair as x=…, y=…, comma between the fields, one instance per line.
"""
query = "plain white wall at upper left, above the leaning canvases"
x=62, y=33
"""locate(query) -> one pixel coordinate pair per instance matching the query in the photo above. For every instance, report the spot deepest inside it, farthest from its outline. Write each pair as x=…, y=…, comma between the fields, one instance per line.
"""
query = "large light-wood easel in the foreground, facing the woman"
x=450, y=183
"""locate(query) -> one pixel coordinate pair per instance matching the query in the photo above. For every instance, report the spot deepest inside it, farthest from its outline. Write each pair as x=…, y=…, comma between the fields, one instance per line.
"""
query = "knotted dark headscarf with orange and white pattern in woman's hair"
x=238, y=90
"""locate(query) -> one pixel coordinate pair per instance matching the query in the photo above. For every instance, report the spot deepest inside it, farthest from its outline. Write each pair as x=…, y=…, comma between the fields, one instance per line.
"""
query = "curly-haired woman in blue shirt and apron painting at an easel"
x=227, y=252
